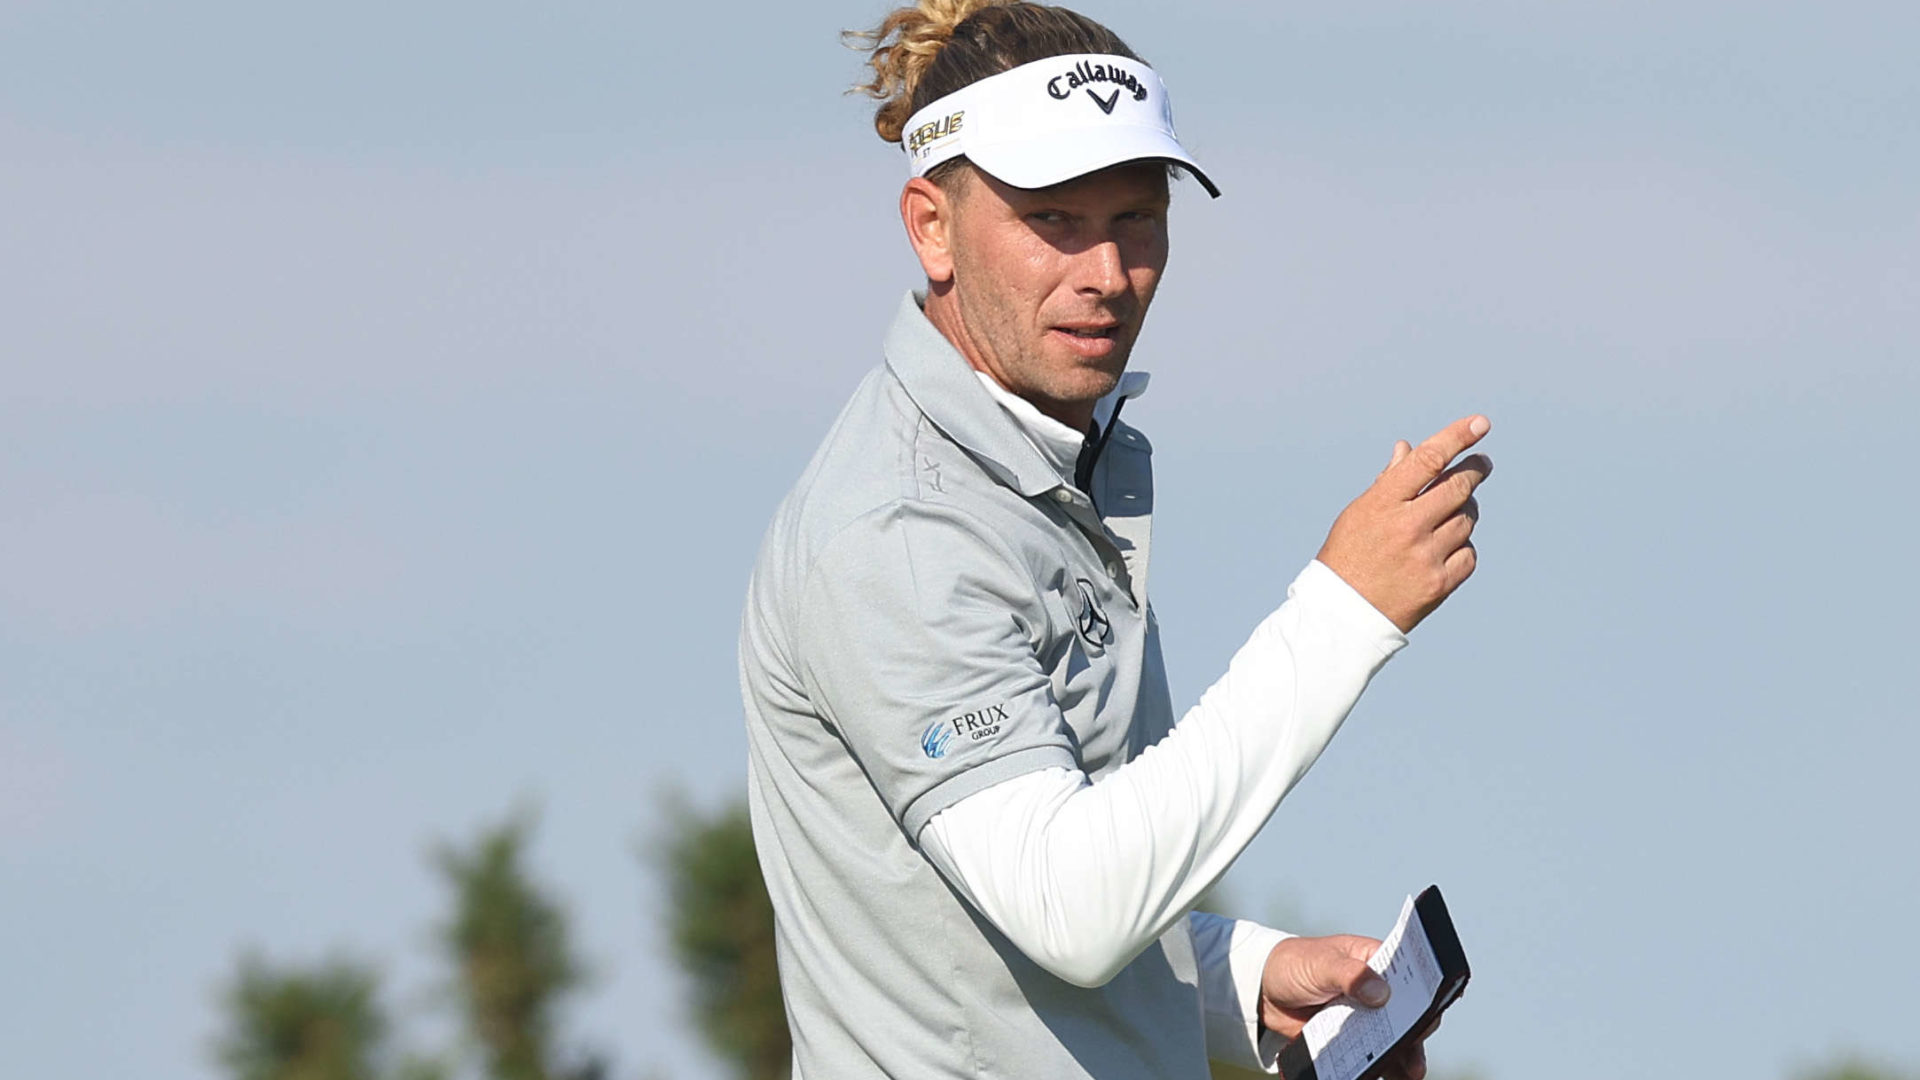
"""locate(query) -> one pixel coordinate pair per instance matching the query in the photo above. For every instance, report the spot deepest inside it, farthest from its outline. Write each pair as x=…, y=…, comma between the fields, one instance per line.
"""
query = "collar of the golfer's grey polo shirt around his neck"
x=1032, y=451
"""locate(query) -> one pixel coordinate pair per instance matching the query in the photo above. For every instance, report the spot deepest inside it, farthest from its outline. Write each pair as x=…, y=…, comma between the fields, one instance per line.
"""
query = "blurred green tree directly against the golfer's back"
x=721, y=931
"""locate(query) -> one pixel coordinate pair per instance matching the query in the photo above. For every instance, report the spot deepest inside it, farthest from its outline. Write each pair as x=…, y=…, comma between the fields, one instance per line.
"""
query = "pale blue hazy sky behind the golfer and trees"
x=395, y=399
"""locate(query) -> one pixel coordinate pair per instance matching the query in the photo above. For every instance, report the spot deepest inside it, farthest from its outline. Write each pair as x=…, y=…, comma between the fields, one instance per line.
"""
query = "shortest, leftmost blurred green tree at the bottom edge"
x=291, y=1023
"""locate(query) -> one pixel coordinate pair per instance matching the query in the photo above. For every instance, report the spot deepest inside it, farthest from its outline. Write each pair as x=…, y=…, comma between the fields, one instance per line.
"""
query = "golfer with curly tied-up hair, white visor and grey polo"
x=980, y=820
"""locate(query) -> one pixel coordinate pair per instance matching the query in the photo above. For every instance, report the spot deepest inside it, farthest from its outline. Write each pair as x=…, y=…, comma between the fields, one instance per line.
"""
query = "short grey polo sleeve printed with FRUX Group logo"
x=921, y=635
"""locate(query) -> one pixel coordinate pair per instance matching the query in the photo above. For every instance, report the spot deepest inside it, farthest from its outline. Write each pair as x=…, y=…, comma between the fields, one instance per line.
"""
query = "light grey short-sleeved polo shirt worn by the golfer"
x=936, y=610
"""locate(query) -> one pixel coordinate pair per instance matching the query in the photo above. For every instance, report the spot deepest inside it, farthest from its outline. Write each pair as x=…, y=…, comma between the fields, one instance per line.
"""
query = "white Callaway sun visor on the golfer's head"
x=1053, y=120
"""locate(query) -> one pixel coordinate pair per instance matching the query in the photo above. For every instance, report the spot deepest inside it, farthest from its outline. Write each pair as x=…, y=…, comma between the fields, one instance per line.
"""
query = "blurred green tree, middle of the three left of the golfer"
x=512, y=956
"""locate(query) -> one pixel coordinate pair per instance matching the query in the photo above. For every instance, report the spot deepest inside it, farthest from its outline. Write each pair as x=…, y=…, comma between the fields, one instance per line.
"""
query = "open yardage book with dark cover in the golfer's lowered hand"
x=1424, y=966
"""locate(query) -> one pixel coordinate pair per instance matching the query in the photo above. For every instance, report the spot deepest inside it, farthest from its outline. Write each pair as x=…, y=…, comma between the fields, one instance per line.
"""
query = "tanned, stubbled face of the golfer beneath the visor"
x=1047, y=289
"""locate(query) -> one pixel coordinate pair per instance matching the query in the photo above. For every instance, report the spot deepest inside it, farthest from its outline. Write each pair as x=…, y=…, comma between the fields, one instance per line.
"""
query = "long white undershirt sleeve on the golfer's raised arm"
x=1084, y=875
